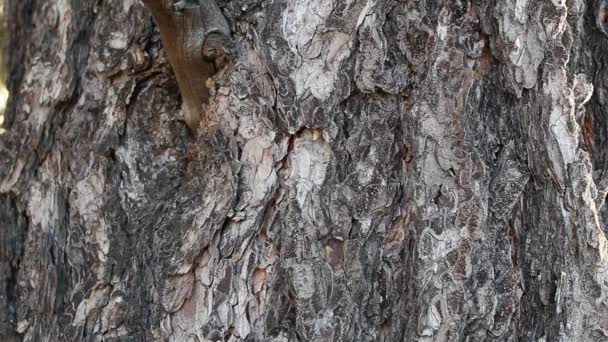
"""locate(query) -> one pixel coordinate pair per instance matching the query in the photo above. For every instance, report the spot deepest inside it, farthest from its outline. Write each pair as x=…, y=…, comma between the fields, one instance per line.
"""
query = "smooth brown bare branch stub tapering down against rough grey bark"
x=194, y=34
